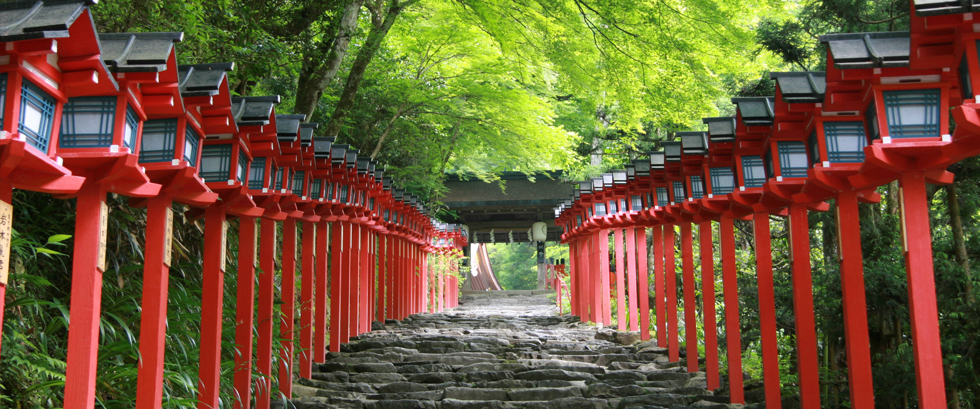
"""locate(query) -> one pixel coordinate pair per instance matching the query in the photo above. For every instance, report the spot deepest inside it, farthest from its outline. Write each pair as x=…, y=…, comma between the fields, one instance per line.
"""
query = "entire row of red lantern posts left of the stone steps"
x=86, y=114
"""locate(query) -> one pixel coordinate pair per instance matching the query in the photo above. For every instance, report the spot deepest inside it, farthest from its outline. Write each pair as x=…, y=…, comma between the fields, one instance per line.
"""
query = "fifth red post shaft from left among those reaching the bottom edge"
x=264, y=317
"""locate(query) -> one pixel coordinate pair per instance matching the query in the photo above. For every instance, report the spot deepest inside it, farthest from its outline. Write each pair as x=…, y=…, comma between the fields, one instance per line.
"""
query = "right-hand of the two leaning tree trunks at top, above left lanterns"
x=364, y=57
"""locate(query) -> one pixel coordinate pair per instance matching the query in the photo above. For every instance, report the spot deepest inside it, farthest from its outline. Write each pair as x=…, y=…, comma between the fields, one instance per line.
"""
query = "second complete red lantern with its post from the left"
x=170, y=153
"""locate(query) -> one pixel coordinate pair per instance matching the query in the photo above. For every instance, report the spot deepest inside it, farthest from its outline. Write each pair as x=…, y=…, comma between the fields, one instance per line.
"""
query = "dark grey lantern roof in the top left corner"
x=29, y=20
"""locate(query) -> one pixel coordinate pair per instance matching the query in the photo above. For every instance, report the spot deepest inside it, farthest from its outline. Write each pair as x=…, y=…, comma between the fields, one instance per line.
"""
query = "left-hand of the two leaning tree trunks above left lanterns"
x=316, y=73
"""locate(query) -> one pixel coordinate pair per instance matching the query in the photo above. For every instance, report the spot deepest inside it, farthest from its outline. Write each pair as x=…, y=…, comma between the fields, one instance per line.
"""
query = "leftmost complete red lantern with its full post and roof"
x=100, y=139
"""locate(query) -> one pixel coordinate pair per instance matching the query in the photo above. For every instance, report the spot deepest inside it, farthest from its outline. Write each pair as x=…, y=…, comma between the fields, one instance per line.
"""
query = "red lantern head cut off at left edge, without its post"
x=38, y=74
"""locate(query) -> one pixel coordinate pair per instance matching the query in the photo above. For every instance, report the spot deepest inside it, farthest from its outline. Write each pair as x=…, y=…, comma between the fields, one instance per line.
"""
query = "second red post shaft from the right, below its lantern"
x=855, y=307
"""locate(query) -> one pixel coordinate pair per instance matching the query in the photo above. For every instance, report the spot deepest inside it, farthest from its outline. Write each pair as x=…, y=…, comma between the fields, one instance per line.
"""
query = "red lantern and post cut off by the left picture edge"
x=32, y=101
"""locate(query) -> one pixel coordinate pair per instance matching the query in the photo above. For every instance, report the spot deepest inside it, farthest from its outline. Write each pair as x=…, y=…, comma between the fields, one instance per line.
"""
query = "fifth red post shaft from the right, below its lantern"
x=729, y=279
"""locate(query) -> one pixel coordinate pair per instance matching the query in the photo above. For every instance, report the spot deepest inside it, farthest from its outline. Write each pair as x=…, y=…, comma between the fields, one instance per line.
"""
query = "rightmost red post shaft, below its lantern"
x=922, y=292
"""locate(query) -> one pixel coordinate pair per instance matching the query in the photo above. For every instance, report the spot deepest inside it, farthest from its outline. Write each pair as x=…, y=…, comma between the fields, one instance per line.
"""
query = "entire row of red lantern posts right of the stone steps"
x=877, y=115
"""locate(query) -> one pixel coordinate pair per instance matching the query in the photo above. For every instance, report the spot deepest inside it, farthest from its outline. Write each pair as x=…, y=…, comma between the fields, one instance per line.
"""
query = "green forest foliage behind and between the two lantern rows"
x=430, y=87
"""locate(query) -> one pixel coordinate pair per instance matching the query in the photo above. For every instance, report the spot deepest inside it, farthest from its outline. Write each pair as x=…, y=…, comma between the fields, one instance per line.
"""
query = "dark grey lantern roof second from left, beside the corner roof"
x=138, y=52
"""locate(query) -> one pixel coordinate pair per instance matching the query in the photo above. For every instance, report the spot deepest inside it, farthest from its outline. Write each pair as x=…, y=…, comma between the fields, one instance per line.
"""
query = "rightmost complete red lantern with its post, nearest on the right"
x=910, y=141
